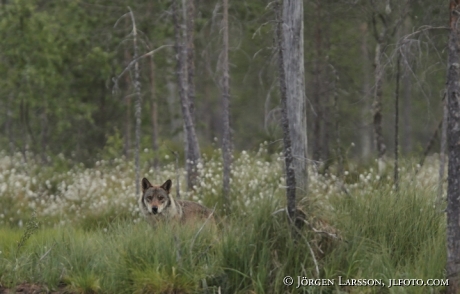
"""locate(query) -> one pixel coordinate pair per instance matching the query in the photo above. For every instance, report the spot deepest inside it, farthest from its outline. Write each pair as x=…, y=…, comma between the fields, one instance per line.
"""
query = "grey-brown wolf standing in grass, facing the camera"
x=157, y=204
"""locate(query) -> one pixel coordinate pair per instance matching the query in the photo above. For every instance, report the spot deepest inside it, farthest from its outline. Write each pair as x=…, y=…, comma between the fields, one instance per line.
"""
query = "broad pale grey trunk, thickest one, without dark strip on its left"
x=293, y=66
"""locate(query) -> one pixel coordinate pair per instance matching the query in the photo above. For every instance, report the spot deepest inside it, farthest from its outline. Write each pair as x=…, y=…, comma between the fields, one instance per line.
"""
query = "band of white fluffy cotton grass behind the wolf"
x=67, y=196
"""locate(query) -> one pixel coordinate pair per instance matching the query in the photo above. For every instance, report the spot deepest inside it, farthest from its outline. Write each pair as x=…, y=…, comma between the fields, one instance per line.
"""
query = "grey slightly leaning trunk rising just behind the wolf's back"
x=191, y=142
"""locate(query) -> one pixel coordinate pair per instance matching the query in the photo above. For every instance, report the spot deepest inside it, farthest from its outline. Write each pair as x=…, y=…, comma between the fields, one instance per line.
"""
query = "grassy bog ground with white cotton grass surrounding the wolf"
x=76, y=228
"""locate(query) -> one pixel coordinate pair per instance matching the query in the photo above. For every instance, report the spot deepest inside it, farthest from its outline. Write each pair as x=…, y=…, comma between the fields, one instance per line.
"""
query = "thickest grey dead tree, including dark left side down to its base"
x=289, y=33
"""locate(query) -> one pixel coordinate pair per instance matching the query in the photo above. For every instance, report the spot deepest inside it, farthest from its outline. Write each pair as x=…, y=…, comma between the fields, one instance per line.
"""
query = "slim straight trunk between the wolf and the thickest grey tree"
x=226, y=139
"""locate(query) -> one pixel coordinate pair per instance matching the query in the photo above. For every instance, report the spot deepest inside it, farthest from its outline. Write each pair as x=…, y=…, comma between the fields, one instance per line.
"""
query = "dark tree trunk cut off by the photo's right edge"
x=453, y=135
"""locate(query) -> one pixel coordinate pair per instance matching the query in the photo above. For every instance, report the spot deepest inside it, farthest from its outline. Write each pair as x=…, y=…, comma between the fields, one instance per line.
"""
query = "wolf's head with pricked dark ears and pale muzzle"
x=156, y=198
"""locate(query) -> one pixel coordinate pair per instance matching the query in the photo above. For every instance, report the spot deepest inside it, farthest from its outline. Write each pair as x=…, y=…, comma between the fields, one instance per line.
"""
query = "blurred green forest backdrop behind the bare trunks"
x=59, y=58
